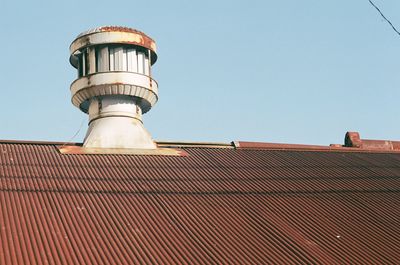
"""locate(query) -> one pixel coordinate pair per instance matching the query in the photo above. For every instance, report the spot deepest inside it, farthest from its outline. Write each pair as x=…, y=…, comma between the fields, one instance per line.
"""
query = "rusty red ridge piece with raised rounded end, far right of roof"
x=352, y=139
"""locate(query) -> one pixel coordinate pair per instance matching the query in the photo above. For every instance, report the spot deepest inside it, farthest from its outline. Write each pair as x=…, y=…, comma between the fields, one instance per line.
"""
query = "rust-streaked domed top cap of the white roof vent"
x=114, y=35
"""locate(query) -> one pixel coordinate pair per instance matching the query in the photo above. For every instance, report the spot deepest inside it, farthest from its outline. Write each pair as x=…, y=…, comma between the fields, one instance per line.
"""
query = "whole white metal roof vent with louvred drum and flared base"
x=114, y=85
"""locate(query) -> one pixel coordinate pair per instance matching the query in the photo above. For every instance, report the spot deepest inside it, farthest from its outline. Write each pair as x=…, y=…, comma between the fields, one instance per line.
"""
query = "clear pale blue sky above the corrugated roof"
x=276, y=71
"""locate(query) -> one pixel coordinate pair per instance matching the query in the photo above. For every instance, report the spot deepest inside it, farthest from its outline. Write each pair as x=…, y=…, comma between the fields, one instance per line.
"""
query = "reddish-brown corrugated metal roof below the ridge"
x=252, y=205
